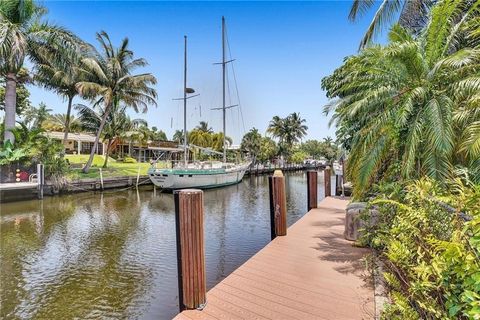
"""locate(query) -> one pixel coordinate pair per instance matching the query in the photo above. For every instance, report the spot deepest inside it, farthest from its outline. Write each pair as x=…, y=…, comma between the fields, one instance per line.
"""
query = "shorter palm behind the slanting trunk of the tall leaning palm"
x=117, y=123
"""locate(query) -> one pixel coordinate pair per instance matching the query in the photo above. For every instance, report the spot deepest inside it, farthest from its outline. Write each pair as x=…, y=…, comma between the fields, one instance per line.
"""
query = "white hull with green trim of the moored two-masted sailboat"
x=171, y=179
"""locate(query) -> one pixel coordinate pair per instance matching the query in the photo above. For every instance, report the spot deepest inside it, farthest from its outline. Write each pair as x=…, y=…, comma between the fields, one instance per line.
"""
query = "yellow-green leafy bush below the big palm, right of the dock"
x=430, y=239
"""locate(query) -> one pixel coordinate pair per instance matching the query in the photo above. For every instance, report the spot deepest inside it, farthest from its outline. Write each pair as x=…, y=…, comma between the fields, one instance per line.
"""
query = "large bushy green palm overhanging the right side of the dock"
x=413, y=101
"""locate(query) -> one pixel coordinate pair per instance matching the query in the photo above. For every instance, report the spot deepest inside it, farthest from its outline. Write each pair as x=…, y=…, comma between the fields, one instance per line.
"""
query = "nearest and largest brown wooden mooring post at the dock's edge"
x=190, y=249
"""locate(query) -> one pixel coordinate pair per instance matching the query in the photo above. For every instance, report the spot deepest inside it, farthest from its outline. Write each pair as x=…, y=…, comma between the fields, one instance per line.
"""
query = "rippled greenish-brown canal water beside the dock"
x=113, y=255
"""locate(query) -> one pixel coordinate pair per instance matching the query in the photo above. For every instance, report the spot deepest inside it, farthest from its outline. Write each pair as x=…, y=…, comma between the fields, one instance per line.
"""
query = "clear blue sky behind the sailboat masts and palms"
x=282, y=50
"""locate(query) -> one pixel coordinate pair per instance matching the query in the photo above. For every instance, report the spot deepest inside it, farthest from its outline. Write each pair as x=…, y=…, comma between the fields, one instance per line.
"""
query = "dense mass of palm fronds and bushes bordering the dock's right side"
x=407, y=113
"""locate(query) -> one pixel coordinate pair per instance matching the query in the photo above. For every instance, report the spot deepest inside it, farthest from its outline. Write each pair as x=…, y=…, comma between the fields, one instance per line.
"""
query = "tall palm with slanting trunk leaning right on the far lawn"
x=109, y=81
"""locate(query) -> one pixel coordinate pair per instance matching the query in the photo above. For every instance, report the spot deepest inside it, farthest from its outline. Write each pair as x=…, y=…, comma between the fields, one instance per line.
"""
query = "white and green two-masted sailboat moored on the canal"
x=201, y=175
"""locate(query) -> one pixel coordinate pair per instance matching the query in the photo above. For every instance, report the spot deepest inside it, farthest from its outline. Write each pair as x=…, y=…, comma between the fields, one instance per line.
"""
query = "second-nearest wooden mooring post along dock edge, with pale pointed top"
x=278, y=204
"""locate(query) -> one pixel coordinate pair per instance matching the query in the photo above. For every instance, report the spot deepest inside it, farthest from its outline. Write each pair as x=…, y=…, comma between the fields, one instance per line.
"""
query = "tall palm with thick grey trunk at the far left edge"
x=24, y=34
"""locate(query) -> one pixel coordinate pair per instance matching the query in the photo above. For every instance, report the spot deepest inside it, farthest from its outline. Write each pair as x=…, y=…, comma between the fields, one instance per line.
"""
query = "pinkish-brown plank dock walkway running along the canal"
x=312, y=273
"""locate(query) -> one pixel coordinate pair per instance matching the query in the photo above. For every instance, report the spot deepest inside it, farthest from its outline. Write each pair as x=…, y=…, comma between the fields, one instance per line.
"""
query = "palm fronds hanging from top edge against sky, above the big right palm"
x=412, y=15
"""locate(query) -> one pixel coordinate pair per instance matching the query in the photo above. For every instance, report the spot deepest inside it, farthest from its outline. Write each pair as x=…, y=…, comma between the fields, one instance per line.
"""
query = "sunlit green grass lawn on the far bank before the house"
x=114, y=168
